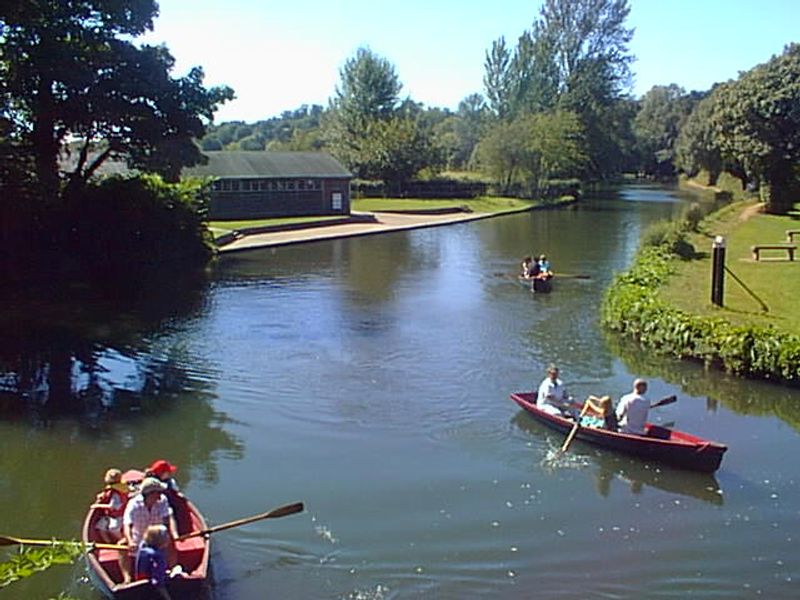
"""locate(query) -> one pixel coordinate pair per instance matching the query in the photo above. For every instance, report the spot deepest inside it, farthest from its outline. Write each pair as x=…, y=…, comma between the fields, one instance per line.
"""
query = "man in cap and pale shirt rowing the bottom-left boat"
x=148, y=507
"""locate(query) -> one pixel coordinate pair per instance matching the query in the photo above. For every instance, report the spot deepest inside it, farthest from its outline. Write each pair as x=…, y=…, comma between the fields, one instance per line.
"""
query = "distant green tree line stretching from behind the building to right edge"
x=555, y=104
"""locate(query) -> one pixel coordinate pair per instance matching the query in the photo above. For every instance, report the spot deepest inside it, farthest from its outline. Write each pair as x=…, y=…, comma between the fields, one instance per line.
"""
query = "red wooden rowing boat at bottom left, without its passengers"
x=193, y=555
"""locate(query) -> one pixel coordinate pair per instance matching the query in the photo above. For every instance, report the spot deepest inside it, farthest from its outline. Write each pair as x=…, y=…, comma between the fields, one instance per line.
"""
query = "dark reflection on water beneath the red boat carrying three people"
x=635, y=474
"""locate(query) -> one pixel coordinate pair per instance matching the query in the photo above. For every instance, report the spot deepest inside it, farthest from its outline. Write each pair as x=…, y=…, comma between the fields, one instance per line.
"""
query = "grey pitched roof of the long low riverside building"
x=250, y=164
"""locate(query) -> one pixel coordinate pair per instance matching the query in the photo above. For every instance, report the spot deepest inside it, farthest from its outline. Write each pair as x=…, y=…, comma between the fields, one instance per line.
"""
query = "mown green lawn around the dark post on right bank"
x=774, y=279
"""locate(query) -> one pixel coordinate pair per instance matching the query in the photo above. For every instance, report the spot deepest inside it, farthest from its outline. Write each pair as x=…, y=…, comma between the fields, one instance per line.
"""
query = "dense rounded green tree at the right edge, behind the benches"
x=756, y=123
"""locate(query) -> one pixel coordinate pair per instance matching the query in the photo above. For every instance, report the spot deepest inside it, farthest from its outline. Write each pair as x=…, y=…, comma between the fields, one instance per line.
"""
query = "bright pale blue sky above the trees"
x=278, y=55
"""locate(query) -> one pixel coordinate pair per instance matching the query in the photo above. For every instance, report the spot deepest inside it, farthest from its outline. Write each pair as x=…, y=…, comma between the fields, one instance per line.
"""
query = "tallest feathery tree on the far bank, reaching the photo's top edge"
x=575, y=59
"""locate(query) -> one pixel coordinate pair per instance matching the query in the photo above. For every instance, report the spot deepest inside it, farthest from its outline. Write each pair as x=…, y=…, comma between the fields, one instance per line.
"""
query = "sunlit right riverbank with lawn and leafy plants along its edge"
x=664, y=301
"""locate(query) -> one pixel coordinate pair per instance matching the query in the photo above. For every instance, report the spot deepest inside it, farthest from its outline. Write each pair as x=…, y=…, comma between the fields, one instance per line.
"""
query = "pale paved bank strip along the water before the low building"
x=362, y=223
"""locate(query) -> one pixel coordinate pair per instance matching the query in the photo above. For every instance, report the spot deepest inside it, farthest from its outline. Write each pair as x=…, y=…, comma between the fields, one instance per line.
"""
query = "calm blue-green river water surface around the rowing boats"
x=369, y=378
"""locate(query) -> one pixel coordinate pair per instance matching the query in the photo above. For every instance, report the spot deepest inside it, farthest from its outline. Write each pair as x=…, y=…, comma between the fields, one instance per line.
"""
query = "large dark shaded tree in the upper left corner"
x=70, y=71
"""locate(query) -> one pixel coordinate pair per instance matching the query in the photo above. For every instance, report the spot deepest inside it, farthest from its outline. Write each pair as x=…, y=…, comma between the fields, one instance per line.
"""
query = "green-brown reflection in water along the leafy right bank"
x=740, y=395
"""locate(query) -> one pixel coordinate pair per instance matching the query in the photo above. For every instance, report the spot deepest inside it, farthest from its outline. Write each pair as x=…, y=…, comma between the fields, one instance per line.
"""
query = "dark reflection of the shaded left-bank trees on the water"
x=81, y=350
